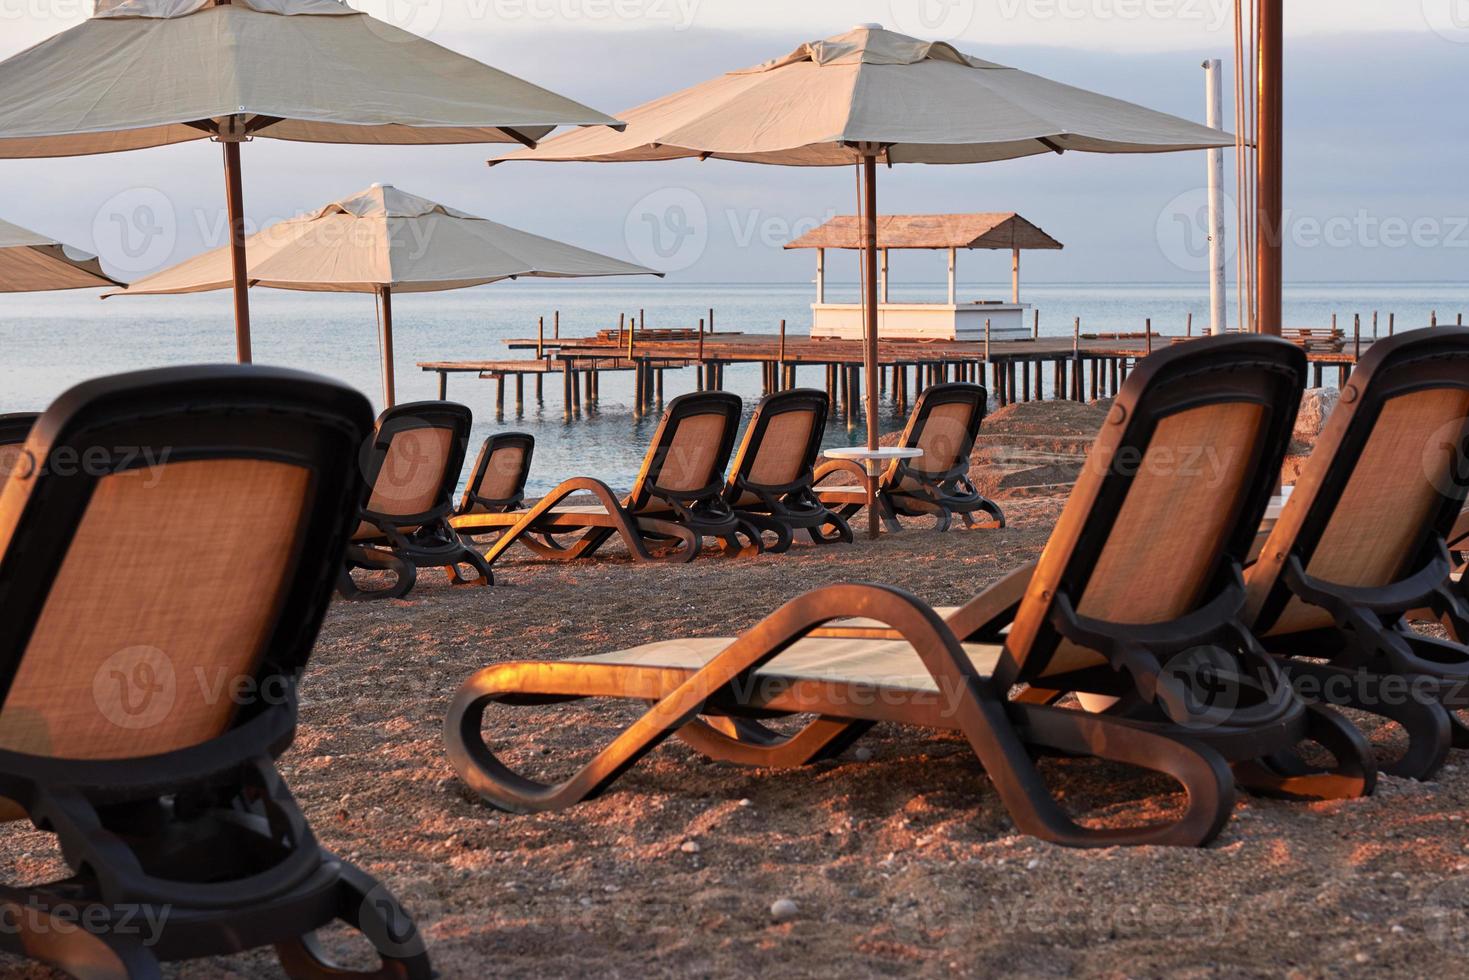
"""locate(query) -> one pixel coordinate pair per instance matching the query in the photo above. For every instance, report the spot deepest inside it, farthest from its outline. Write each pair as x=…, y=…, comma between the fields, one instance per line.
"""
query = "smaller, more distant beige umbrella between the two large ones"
x=386, y=242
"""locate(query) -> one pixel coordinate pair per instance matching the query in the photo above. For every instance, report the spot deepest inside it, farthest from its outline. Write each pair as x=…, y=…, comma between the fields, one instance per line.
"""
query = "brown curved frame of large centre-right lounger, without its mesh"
x=719, y=709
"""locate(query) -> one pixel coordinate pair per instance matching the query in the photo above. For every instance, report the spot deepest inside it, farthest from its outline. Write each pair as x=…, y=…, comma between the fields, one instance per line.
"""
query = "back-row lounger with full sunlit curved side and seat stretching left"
x=678, y=497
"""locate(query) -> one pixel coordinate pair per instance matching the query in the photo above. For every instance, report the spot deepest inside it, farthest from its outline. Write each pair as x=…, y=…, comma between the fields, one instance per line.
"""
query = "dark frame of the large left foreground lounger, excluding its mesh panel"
x=206, y=841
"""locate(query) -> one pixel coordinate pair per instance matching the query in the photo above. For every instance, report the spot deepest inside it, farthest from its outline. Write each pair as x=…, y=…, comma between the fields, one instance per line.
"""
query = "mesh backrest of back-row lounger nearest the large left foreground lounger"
x=415, y=459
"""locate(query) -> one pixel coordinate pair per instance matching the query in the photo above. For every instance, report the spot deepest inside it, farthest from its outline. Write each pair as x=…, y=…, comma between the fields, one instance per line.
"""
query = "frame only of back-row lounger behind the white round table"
x=935, y=496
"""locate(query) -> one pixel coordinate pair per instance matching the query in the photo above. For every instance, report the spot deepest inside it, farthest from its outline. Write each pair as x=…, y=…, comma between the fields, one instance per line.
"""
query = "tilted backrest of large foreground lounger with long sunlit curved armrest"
x=1172, y=496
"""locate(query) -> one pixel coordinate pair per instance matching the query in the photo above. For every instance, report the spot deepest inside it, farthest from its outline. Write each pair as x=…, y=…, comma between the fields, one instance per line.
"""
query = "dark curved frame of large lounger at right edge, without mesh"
x=1371, y=640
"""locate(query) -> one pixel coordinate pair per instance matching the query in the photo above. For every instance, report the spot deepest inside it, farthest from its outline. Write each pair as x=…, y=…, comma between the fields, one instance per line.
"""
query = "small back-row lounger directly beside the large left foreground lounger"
x=412, y=465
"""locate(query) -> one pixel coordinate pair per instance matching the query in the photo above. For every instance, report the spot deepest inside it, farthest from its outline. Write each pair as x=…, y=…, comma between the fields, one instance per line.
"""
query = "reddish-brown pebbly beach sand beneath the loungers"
x=898, y=857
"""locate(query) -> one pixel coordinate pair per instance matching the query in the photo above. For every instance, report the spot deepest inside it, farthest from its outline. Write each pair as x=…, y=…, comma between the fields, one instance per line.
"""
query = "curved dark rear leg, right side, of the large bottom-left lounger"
x=369, y=909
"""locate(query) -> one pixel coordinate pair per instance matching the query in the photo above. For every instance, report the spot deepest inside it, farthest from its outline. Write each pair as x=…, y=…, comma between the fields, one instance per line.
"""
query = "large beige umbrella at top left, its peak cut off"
x=151, y=73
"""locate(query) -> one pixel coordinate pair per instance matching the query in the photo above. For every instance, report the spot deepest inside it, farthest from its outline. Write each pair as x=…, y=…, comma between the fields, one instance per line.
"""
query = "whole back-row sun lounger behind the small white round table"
x=945, y=424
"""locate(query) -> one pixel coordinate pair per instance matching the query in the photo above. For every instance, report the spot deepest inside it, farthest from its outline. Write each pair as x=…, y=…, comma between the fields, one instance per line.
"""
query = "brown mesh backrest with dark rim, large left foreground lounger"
x=168, y=550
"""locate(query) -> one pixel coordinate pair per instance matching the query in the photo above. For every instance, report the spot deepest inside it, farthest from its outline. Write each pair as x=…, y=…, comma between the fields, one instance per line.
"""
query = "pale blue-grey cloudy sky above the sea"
x=1377, y=136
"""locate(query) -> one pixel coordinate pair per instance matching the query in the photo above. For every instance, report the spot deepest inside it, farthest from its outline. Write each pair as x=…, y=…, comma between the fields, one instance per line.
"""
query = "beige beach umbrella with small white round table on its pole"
x=873, y=96
